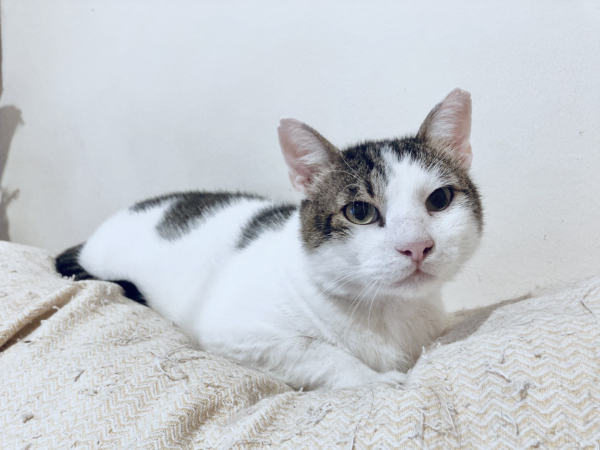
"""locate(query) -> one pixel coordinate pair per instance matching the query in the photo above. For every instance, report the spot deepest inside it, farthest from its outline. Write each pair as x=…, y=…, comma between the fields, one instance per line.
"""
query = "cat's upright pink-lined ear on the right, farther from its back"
x=448, y=126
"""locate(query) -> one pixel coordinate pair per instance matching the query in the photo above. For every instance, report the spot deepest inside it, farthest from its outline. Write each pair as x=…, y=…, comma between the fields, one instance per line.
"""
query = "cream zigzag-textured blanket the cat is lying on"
x=83, y=367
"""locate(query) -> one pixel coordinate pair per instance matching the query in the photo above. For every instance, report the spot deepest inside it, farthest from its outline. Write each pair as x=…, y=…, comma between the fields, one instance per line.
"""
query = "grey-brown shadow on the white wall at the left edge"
x=10, y=118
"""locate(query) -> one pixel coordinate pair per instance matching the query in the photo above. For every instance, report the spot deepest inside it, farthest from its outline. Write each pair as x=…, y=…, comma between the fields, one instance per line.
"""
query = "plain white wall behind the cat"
x=121, y=100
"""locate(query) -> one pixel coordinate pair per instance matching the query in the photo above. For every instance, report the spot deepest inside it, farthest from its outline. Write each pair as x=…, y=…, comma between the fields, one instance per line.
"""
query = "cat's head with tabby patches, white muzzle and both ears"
x=386, y=218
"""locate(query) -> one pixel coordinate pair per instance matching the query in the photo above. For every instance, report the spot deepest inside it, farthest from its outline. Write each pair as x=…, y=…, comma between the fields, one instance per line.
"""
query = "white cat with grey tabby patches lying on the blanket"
x=339, y=291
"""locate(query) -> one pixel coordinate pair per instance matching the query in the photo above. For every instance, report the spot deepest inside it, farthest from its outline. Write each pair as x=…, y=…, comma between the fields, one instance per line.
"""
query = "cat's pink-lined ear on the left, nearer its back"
x=305, y=151
